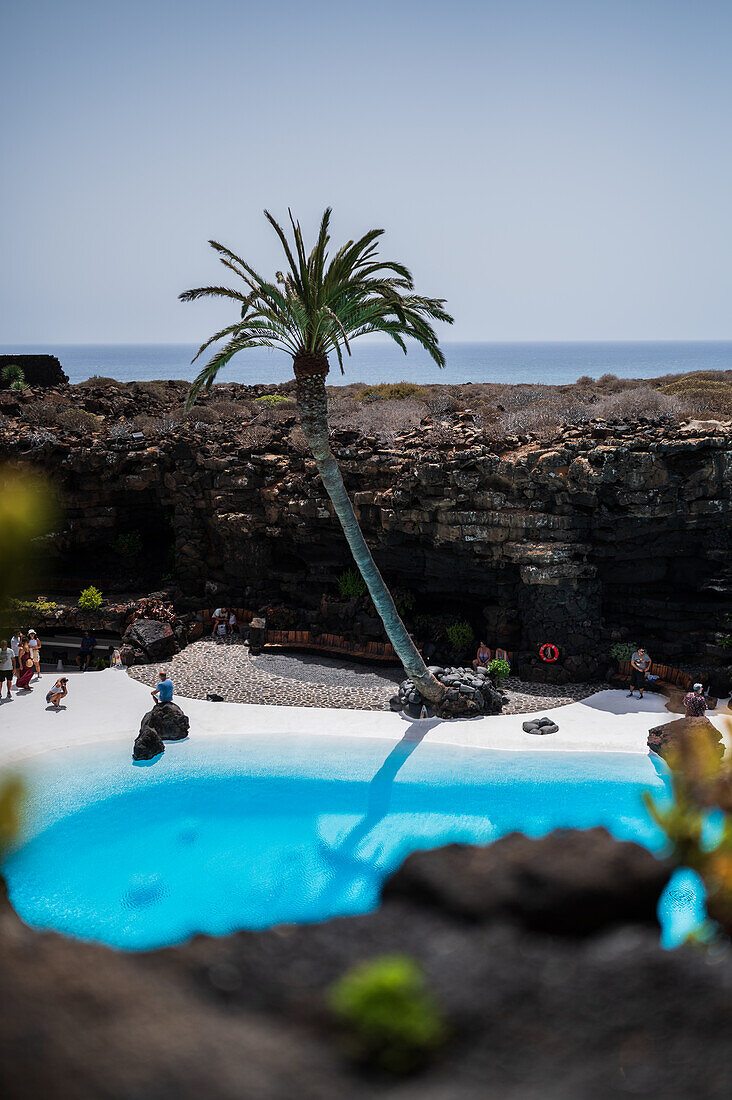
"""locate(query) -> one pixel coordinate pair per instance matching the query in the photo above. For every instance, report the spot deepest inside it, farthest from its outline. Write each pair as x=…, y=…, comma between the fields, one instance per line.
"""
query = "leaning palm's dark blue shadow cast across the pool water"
x=342, y=860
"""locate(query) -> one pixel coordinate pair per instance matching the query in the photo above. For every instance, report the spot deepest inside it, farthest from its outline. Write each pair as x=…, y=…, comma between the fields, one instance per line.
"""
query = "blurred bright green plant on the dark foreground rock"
x=391, y=1018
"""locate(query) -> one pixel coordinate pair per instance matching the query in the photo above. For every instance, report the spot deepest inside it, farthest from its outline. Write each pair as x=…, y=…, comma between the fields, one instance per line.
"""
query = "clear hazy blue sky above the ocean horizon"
x=559, y=170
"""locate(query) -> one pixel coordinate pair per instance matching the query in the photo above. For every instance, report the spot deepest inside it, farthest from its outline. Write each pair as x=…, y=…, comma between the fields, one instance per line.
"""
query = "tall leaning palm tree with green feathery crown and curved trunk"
x=318, y=307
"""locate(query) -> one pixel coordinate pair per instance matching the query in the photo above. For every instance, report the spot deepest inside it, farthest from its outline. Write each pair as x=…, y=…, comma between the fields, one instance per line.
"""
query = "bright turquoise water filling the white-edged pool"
x=250, y=833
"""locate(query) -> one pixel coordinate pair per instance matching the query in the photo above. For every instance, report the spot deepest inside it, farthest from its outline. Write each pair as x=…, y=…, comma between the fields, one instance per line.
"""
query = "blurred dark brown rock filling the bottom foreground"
x=531, y=1016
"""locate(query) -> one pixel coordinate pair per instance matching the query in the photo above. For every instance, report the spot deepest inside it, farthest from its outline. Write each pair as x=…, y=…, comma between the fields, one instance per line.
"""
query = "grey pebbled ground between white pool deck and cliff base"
x=225, y=668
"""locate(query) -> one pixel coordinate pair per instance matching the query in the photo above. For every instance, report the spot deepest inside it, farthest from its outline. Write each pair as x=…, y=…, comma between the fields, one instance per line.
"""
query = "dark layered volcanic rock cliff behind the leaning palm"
x=606, y=532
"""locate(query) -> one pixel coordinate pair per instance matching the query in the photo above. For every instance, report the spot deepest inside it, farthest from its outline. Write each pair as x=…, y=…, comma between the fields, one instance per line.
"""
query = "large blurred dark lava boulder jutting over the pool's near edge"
x=570, y=883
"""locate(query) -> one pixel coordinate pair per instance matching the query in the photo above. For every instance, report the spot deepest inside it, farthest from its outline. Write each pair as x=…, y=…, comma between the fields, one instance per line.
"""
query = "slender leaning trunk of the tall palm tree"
x=312, y=402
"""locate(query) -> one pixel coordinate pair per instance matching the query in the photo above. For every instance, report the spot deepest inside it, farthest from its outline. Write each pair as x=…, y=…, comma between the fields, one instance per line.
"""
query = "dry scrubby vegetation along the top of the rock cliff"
x=256, y=416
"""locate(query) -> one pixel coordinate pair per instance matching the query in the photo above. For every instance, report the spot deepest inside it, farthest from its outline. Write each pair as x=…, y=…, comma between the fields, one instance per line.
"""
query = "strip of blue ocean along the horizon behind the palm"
x=374, y=362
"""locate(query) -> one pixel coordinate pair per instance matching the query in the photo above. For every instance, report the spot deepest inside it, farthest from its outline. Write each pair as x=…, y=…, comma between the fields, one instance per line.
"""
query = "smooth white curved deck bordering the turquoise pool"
x=108, y=706
